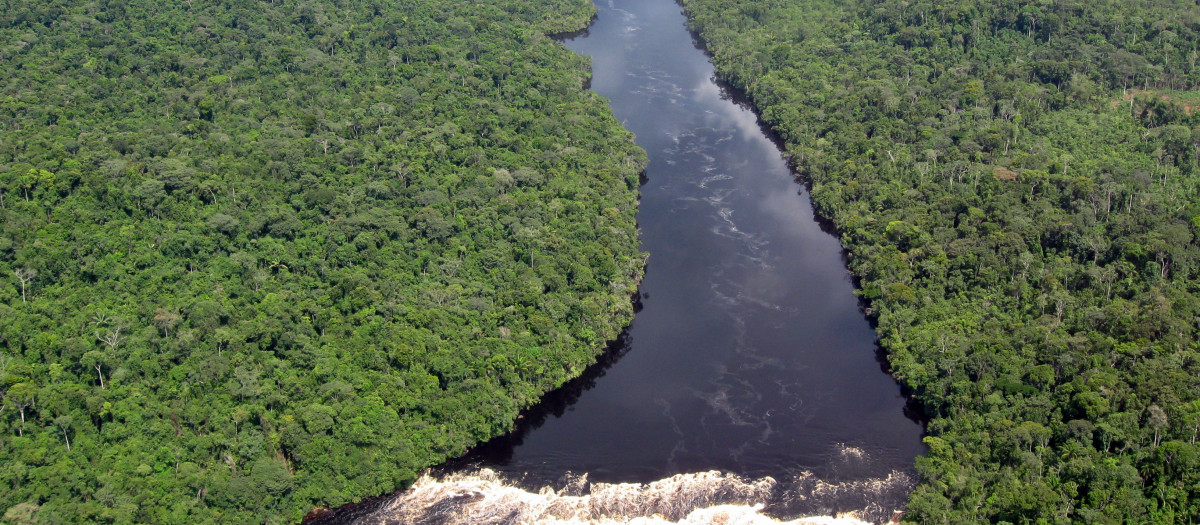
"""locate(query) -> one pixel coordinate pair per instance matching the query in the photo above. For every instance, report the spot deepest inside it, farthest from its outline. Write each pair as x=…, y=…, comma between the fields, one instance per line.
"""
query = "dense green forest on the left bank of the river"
x=259, y=257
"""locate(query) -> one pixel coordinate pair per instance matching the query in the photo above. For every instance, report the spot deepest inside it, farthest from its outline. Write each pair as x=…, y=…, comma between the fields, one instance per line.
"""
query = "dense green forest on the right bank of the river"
x=1018, y=188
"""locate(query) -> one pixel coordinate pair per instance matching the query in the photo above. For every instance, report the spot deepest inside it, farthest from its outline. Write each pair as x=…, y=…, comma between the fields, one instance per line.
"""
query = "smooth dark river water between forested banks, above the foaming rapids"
x=749, y=354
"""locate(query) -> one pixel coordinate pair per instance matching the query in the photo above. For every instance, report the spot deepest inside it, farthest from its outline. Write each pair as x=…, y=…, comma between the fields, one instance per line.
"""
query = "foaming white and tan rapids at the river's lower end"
x=487, y=498
